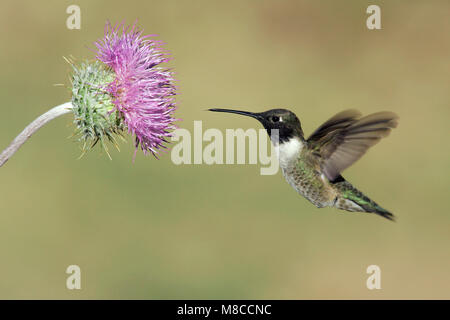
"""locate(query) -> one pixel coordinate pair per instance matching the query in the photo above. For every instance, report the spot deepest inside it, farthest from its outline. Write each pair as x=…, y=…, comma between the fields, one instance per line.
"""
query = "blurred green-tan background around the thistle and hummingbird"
x=151, y=229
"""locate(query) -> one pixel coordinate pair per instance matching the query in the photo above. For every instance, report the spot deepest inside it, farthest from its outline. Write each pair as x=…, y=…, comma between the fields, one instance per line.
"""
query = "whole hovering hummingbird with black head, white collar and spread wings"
x=313, y=166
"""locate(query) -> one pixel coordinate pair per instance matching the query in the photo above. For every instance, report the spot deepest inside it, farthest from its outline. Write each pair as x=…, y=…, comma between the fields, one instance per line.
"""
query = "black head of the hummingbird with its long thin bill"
x=285, y=121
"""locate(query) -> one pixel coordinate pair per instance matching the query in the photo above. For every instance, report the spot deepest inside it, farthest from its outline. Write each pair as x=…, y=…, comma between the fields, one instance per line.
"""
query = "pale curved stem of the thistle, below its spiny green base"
x=32, y=128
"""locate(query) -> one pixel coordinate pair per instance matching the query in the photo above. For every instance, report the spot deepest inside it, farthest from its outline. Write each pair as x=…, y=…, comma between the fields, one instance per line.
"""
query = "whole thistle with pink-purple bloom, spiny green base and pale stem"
x=125, y=89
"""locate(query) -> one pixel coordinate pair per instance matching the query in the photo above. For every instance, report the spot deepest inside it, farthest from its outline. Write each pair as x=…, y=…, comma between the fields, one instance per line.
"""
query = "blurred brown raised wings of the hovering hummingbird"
x=344, y=138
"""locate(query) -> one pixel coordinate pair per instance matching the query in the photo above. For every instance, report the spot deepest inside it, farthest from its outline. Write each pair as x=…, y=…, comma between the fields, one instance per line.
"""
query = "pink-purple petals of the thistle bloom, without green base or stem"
x=142, y=91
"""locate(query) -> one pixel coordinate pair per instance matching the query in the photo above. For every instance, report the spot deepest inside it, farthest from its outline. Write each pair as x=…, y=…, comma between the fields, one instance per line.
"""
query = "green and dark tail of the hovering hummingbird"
x=351, y=199
